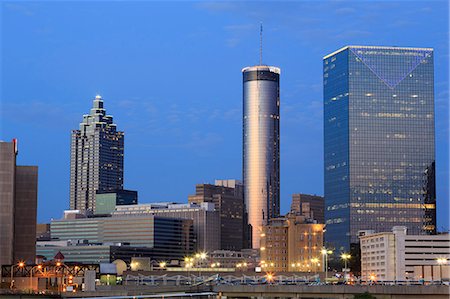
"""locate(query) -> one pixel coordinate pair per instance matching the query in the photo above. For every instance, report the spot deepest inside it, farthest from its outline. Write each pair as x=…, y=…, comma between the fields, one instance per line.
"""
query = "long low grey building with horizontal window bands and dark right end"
x=153, y=235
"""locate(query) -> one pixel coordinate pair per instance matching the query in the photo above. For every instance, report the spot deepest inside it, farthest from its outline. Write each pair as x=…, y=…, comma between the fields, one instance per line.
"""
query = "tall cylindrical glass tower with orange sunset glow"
x=261, y=146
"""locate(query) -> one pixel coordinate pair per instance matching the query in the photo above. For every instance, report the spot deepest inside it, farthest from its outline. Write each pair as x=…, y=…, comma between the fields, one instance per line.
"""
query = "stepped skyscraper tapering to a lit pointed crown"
x=96, y=161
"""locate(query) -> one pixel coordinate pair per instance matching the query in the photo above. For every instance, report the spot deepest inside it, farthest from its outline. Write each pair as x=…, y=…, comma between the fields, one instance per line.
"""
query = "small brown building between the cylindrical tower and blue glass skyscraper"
x=310, y=206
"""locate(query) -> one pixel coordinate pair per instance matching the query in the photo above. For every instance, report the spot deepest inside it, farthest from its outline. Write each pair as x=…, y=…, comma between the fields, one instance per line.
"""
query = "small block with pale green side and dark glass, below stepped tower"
x=106, y=202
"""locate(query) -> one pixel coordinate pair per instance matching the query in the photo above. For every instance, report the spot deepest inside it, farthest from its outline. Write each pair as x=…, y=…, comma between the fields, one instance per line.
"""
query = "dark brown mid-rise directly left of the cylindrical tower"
x=230, y=204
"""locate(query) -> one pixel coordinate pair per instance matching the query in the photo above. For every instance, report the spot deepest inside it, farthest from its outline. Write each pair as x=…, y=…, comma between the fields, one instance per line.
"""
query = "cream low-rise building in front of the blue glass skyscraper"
x=395, y=255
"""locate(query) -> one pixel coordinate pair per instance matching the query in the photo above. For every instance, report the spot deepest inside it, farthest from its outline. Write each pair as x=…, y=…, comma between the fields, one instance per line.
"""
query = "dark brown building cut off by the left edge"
x=18, y=206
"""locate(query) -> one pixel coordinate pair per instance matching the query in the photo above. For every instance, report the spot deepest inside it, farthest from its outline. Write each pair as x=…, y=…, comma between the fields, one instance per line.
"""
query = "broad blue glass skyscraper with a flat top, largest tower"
x=379, y=141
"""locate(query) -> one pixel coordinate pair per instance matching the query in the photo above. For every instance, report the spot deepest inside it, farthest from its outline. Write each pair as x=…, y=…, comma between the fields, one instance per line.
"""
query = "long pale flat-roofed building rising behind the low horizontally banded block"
x=206, y=220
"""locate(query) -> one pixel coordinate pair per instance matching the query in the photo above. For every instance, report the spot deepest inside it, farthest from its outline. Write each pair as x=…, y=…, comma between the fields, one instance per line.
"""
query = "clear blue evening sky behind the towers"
x=170, y=74
